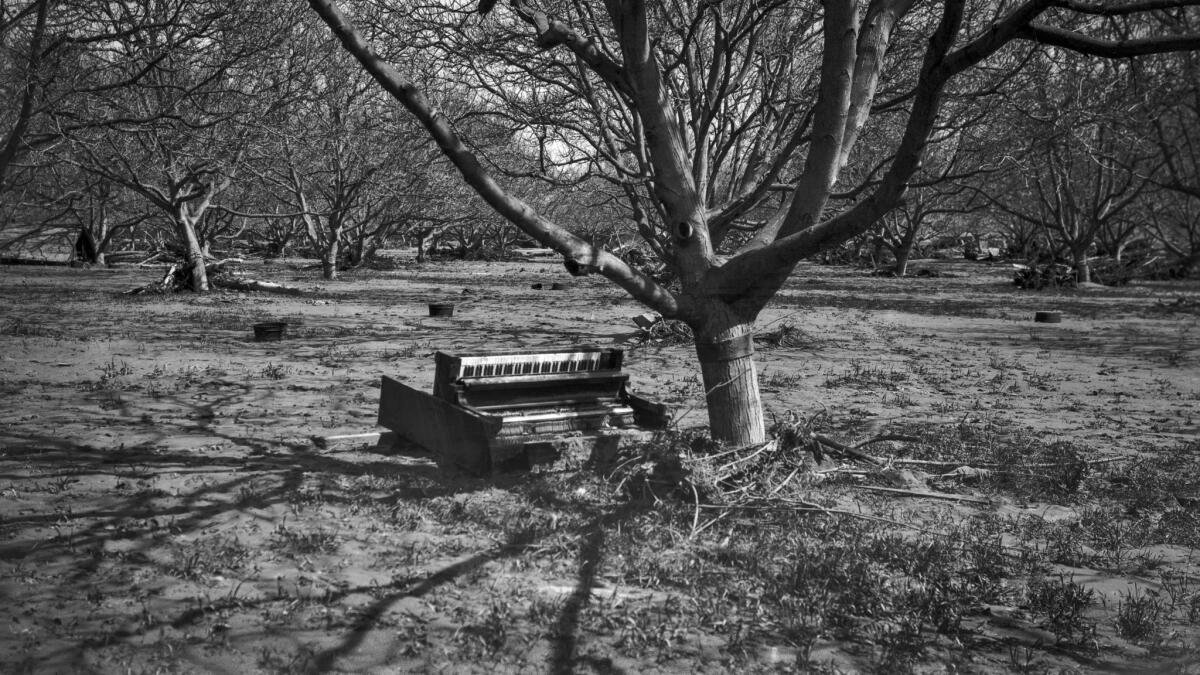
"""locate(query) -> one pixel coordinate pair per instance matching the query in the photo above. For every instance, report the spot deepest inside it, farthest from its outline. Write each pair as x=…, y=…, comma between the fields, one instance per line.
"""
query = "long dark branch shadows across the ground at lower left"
x=236, y=489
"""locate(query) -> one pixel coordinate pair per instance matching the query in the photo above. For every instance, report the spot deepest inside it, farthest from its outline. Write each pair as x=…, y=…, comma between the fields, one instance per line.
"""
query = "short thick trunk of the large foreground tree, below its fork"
x=731, y=383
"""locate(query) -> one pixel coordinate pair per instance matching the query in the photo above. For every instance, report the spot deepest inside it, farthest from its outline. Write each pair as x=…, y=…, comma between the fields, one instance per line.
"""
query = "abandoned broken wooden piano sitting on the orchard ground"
x=508, y=411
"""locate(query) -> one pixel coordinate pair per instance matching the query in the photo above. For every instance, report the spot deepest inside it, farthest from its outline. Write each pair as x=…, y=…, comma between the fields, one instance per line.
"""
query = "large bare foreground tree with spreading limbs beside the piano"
x=719, y=124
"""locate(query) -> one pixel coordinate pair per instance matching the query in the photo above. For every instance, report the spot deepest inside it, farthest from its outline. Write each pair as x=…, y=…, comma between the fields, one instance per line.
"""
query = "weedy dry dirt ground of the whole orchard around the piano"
x=163, y=507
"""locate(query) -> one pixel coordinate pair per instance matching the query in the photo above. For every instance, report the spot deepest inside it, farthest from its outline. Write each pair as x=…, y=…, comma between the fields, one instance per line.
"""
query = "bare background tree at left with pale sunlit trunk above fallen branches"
x=190, y=77
